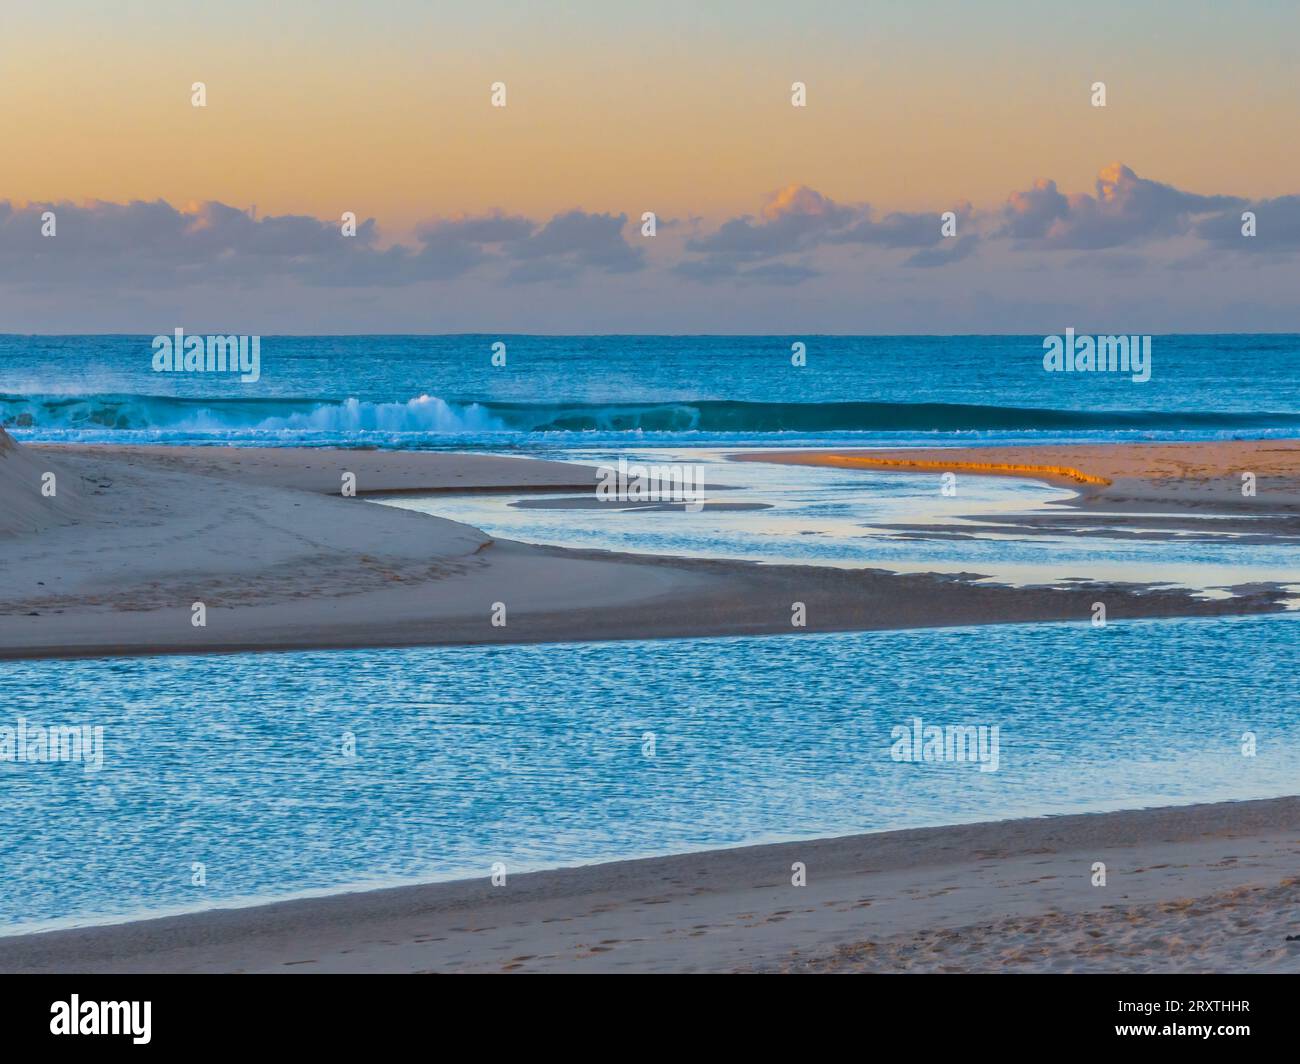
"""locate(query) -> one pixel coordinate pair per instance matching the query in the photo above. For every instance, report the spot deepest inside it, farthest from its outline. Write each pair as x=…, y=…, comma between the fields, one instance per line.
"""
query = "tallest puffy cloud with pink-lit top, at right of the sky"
x=1126, y=209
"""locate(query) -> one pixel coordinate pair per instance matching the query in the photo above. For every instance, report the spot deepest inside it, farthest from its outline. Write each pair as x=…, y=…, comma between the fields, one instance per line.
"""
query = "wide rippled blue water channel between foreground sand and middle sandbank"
x=536, y=756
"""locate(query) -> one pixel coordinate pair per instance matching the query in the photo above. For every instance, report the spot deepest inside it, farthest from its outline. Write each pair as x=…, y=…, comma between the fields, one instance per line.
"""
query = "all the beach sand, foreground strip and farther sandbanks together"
x=284, y=561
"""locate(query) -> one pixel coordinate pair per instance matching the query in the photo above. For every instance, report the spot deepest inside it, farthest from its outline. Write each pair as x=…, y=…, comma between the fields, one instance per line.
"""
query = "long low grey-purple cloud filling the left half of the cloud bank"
x=158, y=245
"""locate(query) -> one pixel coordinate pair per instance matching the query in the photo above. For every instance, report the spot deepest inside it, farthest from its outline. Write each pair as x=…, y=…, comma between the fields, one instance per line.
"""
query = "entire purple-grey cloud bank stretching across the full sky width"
x=798, y=235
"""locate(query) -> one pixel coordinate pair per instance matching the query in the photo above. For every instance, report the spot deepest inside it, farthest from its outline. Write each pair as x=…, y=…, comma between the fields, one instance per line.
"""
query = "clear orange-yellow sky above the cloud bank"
x=383, y=109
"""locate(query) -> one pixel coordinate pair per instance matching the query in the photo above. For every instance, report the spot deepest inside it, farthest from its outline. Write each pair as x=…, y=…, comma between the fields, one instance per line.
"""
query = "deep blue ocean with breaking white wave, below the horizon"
x=444, y=391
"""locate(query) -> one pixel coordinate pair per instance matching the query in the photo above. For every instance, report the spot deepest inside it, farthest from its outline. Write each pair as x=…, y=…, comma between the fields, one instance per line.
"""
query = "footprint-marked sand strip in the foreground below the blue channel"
x=1181, y=880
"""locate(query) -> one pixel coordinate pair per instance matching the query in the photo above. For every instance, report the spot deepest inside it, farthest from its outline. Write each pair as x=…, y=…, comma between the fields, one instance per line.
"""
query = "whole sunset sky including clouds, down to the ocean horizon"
x=528, y=218
